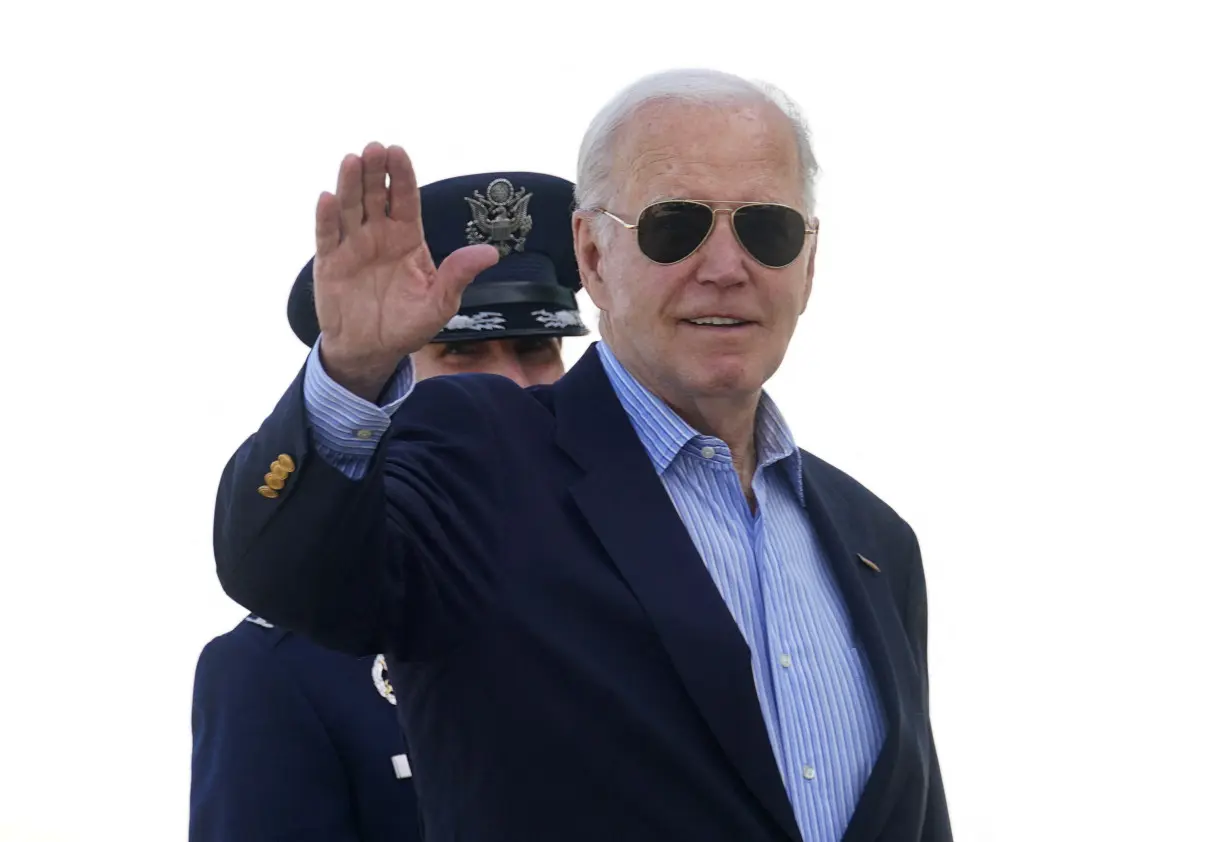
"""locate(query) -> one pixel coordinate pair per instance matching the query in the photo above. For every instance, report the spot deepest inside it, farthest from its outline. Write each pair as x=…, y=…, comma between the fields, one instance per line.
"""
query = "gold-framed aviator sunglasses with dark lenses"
x=672, y=230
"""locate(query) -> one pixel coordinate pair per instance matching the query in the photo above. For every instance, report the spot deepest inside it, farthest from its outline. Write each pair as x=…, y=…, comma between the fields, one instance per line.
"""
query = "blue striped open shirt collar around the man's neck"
x=665, y=435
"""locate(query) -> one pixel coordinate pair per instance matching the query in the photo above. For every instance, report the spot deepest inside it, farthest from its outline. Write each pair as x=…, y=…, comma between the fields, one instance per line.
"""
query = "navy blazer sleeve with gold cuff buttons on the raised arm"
x=389, y=561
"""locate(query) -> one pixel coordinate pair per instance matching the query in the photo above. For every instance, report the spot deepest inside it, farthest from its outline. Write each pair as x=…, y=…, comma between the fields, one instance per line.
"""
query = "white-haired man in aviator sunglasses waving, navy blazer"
x=625, y=607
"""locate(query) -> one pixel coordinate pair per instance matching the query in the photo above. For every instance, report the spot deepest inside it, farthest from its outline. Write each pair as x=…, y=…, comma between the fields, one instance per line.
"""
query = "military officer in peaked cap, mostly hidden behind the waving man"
x=292, y=741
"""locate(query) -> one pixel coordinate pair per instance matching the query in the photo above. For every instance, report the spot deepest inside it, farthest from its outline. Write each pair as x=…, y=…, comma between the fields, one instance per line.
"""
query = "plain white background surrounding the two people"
x=1018, y=339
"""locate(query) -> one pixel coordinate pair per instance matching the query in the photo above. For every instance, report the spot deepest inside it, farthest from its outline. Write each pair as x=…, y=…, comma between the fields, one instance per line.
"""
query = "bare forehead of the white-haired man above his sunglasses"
x=741, y=153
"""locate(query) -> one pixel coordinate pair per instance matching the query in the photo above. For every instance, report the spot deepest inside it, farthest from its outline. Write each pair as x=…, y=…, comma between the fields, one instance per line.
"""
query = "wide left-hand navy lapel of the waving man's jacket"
x=625, y=503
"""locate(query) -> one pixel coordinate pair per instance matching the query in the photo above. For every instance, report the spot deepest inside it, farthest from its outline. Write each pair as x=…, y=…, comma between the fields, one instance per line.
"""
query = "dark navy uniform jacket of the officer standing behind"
x=292, y=742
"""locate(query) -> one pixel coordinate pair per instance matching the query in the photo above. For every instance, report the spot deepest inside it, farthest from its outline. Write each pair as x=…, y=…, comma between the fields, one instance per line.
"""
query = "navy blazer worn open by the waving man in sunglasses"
x=565, y=666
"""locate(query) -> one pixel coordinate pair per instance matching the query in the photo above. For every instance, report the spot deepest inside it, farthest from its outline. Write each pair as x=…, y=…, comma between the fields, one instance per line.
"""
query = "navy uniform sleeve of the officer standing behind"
x=264, y=766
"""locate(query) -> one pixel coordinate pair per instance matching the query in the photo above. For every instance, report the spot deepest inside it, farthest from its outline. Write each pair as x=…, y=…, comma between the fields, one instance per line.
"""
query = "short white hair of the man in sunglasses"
x=705, y=88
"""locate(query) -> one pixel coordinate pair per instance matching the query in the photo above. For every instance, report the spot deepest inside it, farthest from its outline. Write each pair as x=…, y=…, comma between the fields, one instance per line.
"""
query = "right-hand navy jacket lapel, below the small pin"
x=870, y=603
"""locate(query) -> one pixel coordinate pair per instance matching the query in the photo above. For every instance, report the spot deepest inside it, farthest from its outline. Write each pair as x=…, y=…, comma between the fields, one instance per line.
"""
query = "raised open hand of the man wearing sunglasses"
x=379, y=296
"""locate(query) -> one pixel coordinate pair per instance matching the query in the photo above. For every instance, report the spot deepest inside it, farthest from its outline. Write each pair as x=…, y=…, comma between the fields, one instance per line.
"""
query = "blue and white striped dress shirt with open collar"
x=821, y=709
